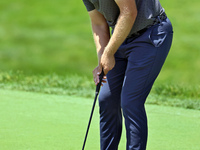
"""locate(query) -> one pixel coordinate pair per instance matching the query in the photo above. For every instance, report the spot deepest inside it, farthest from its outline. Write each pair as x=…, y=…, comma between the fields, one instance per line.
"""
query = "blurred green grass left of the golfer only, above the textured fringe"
x=45, y=36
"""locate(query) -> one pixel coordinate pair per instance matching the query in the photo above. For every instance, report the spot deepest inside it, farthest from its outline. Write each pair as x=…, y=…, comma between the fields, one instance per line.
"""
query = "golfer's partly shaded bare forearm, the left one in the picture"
x=101, y=36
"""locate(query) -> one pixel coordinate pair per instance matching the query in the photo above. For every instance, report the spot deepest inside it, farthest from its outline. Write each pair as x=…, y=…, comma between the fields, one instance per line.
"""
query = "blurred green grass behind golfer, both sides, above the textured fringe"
x=48, y=36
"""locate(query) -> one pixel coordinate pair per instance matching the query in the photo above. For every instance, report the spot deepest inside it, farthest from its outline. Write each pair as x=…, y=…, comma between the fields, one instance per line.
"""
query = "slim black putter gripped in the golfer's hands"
x=95, y=99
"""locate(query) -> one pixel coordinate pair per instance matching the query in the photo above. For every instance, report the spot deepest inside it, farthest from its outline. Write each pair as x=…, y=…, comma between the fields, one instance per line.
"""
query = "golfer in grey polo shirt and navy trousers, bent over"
x=131, y=59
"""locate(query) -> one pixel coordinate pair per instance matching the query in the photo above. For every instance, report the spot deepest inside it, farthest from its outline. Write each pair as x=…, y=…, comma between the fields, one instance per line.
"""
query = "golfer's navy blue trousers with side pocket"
x=138, y=63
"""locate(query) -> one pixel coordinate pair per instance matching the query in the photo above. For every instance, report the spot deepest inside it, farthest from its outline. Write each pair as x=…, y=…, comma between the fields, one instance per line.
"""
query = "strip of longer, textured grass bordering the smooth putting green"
x=161, y=94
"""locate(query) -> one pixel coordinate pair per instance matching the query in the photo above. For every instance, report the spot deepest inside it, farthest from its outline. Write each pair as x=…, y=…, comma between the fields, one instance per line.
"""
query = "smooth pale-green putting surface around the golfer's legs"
x=38, y=121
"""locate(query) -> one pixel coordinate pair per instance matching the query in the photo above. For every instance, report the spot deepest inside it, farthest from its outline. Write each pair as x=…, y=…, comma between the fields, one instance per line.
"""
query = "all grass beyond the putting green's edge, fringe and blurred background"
x=45, y=44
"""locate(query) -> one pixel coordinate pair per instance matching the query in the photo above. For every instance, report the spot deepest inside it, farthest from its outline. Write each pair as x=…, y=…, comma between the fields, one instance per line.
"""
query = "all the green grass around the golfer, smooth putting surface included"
x=47, y=49
